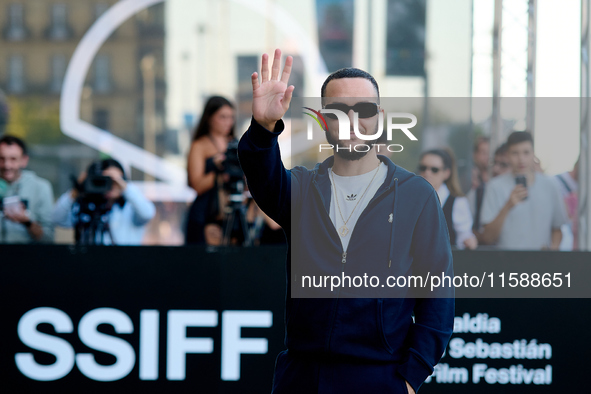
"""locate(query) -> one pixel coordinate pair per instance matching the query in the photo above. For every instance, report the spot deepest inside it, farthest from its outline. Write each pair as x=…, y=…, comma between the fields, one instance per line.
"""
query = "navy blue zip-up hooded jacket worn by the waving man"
x=405, y=231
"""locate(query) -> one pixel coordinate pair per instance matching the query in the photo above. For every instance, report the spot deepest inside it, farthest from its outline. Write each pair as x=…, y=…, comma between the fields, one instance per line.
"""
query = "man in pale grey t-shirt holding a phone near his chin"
x=523, y=209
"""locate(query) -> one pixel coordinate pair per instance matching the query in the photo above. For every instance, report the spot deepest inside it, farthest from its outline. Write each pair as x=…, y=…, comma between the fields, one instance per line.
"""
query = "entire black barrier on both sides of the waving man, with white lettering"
x=134, y=319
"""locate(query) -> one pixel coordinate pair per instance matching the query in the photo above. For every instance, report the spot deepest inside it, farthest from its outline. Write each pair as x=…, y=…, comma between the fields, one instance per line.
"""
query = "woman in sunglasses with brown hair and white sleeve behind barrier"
x=439, y=168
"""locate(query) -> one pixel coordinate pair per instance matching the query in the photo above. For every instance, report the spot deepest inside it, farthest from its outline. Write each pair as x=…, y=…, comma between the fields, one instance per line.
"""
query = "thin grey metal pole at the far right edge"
x=584, y=214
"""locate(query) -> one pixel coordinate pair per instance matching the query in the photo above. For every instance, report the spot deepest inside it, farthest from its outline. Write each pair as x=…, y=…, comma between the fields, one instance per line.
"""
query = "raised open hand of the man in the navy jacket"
x=271, y=96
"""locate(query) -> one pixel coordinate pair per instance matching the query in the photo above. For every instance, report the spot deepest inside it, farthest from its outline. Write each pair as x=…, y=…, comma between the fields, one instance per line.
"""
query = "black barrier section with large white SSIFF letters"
x=134, y=283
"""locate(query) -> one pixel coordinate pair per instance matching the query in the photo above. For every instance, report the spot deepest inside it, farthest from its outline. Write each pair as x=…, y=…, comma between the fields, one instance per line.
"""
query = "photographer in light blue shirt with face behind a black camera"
x=120, y=209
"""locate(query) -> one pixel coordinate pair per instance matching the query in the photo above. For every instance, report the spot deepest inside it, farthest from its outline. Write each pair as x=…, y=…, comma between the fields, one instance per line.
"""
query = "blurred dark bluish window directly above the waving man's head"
x=335, y=32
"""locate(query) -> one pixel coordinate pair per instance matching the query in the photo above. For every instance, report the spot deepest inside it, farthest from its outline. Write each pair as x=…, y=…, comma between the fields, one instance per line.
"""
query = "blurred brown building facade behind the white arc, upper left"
x=38, y=39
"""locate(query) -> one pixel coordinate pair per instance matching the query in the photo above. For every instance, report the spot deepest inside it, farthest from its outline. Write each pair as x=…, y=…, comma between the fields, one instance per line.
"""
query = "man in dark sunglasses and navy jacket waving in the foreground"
x=356, y=212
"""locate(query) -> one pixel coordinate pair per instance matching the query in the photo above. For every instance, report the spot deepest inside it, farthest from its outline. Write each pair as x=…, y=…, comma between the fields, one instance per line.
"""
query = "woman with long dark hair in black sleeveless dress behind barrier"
x=206, y=171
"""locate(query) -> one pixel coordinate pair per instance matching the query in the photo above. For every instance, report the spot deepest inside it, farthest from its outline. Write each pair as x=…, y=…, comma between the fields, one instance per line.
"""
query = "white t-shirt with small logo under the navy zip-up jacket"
x=351, y=200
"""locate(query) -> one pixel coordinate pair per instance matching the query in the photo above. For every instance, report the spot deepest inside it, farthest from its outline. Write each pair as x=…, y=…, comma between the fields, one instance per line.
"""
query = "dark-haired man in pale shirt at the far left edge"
x=25, y=199
